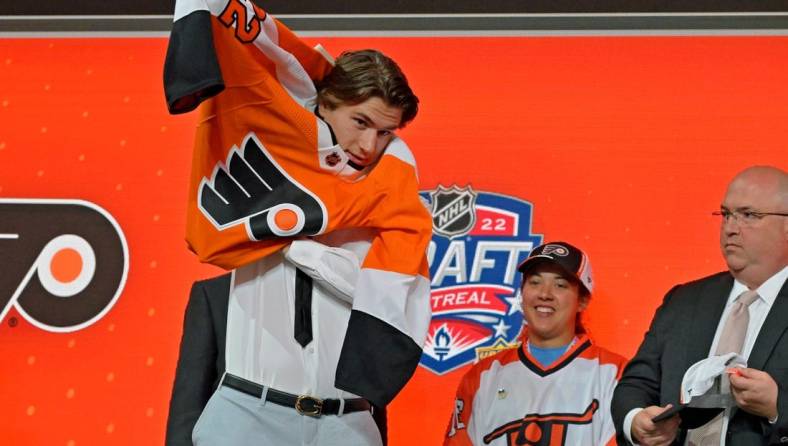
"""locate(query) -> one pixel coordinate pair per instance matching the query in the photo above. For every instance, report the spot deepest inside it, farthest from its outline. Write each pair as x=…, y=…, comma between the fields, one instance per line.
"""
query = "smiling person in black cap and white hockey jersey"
x=557, y=368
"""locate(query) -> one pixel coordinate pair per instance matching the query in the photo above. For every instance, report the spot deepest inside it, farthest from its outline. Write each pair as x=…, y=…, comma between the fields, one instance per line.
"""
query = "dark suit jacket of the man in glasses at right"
x=681, y=334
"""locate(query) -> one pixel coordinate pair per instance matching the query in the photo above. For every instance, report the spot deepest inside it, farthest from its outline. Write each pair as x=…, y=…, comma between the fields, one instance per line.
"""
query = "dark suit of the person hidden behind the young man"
x=201, y=361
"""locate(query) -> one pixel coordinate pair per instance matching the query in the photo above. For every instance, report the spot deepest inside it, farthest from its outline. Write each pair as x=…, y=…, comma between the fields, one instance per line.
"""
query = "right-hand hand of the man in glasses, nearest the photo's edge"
x=755, y=391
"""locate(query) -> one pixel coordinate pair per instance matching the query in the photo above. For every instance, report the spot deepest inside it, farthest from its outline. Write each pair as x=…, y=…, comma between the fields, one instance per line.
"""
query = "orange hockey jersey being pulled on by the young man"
x=265, y=168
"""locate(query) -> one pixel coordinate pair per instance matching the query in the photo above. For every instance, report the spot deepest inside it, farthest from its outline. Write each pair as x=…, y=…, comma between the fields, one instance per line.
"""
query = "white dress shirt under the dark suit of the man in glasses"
x=767, y=293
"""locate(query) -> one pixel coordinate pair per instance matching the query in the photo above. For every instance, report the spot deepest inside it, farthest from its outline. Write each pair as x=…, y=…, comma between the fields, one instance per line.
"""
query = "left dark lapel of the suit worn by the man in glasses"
x=706, y=316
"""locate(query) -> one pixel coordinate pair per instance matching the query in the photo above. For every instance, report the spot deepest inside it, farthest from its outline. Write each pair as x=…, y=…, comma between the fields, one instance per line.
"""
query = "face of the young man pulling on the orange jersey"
x=363, y=130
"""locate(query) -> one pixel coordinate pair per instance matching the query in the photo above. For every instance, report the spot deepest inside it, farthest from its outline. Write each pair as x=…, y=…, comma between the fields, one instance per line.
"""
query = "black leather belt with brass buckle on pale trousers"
x=303, y=404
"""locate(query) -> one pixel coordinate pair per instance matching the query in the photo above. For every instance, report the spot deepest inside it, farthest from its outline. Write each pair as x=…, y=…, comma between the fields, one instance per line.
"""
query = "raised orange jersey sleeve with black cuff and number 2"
x=206, y=30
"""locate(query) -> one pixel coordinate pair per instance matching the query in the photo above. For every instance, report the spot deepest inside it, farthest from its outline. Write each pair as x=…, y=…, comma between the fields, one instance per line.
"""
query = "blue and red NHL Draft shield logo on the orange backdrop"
x=479, y=239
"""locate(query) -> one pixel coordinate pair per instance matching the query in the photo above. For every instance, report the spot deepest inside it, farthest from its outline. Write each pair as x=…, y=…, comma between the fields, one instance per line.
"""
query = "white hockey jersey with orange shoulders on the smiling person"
x=511, y=399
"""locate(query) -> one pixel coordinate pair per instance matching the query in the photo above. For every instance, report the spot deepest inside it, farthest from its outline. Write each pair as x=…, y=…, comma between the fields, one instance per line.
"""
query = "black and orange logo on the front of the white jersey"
x=541, y=430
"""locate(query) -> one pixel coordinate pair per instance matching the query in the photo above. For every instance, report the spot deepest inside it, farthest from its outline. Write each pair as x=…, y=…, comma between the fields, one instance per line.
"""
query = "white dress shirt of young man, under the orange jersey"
x=260, y=343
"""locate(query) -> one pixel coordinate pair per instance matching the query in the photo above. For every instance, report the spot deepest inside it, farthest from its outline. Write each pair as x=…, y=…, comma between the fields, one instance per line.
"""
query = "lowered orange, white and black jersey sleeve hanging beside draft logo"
x=391, y=303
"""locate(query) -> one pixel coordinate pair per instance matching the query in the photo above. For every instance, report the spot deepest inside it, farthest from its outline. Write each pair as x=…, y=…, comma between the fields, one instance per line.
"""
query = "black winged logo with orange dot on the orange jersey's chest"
x=251, y=188
